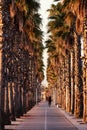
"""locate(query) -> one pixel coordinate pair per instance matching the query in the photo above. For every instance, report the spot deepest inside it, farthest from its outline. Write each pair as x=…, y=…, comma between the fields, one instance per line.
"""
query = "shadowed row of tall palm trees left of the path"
x=21, y=65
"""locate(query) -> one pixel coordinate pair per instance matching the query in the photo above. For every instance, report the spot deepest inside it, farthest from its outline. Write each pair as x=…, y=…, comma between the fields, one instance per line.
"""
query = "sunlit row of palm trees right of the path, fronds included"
x=67, y=50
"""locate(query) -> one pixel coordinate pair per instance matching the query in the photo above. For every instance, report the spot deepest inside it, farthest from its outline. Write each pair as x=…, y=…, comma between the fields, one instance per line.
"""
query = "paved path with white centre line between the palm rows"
x=42, y=117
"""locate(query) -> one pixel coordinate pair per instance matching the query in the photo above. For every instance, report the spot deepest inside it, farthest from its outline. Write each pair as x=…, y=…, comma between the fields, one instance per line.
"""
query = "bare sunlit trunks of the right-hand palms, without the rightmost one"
x=70, y=85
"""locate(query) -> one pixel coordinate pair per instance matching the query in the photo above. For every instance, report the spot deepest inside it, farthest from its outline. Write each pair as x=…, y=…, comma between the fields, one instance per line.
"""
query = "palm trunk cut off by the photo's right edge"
x=85, y=69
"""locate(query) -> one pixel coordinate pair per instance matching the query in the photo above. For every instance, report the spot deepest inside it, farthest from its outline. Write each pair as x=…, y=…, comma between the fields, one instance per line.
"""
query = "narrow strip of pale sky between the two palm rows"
x=45, y=5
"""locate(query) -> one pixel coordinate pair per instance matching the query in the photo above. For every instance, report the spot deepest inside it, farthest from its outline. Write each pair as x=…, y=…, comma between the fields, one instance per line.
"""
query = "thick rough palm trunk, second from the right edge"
x=78, y=80
